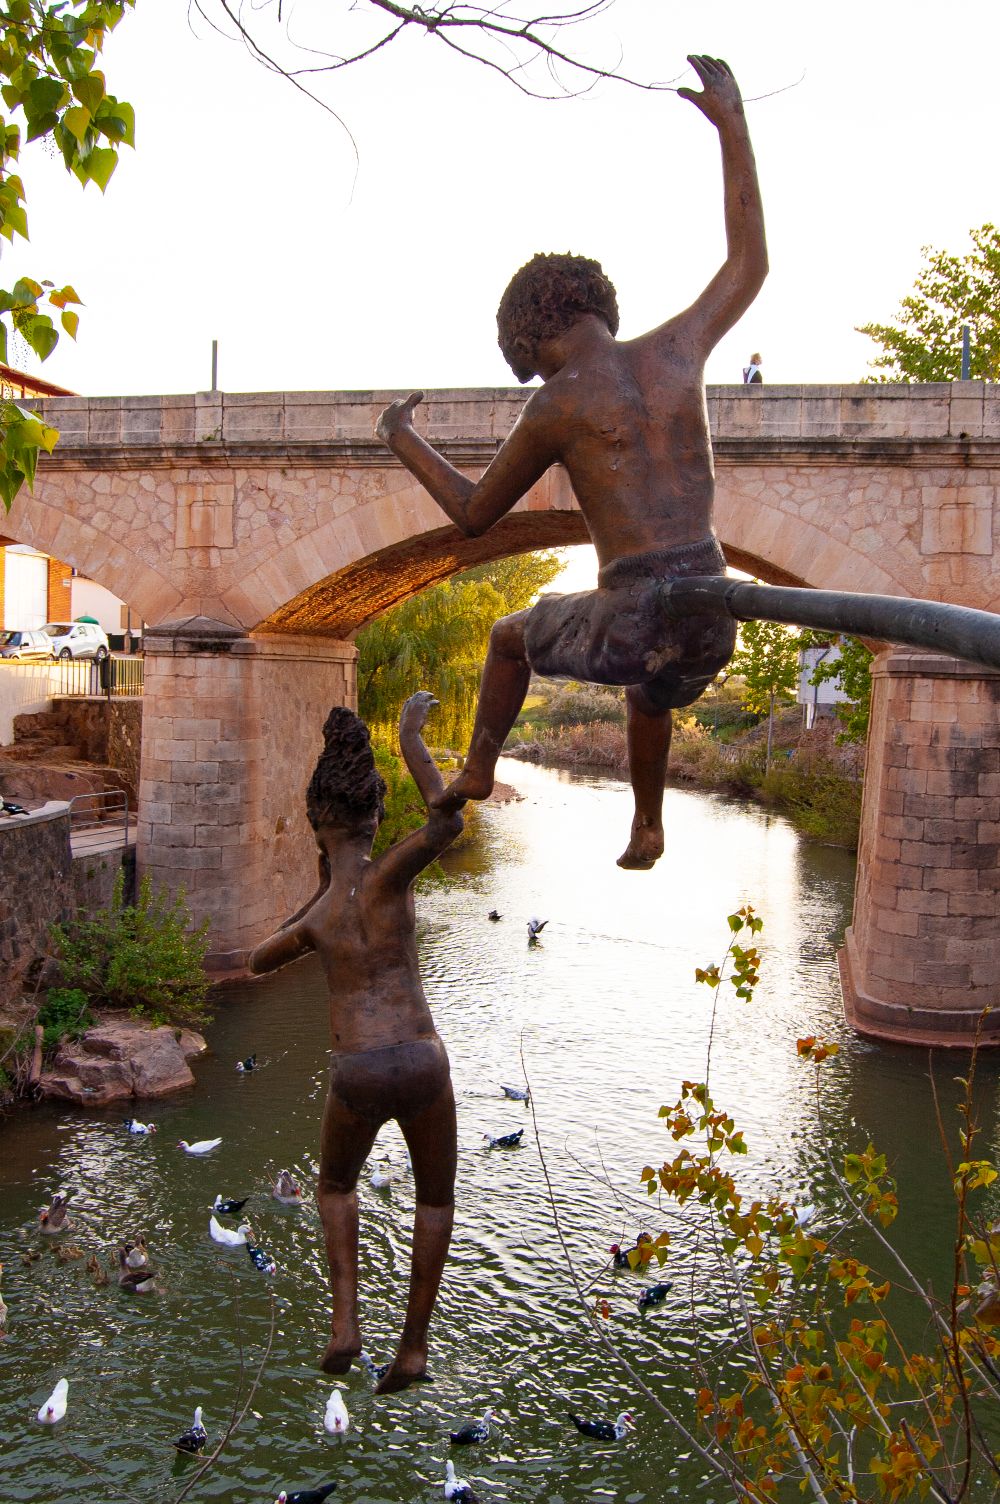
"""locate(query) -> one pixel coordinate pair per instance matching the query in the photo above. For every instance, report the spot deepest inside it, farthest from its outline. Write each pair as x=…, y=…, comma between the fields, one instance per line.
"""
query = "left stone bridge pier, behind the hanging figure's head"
x=231, y=735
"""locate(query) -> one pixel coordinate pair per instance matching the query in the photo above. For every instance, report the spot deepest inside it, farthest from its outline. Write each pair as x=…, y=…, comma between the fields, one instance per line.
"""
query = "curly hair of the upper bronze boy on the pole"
x=550, y=294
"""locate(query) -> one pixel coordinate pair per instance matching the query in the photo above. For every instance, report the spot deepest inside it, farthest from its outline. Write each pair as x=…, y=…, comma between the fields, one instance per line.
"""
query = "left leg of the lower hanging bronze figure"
x=347, y=1144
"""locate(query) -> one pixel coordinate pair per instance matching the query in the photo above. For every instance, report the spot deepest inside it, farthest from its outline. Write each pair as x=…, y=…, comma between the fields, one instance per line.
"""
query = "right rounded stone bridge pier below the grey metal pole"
x=921, y=960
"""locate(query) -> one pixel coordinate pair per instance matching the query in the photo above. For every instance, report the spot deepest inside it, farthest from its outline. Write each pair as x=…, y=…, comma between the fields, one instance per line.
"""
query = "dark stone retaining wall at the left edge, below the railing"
x=35, y=891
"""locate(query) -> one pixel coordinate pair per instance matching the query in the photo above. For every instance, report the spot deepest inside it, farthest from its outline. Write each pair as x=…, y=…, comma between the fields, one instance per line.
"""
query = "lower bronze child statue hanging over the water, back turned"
x=389, y=1060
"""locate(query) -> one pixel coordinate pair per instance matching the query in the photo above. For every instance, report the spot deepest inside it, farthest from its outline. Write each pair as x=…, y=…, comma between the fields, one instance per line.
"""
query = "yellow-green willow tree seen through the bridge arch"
x=438, y=641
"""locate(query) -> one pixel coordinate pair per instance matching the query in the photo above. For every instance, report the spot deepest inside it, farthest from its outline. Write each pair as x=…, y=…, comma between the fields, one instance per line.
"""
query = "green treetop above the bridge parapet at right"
x=927, y=341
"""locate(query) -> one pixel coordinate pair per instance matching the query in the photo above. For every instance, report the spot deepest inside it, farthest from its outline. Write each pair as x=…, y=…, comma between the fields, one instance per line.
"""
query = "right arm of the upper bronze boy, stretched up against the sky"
x=738, y=284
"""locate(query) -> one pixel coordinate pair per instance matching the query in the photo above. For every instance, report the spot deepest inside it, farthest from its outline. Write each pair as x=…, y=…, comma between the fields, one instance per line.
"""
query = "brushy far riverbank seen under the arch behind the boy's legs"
x=811, y=780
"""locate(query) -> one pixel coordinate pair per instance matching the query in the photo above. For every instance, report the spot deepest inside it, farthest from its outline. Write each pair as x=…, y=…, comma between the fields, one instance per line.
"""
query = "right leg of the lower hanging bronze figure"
x=432, y=1142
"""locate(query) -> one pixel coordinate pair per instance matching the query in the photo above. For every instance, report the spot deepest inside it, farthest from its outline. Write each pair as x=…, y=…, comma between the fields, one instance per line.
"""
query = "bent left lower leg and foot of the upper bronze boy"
x=503, y=691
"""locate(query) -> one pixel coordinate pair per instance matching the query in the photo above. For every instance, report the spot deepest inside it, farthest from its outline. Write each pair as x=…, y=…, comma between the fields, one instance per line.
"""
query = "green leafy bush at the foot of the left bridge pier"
x=139, y=957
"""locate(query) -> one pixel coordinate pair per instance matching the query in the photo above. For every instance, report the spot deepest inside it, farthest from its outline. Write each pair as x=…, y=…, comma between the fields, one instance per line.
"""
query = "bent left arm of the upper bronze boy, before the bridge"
x=474, y=506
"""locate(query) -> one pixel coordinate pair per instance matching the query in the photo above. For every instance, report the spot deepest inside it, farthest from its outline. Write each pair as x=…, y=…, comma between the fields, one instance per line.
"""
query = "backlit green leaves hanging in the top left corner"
x=53, y=91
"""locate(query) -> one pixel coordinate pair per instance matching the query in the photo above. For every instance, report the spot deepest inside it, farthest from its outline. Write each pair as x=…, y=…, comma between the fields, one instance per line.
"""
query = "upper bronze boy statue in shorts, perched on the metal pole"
x=629, y=423
